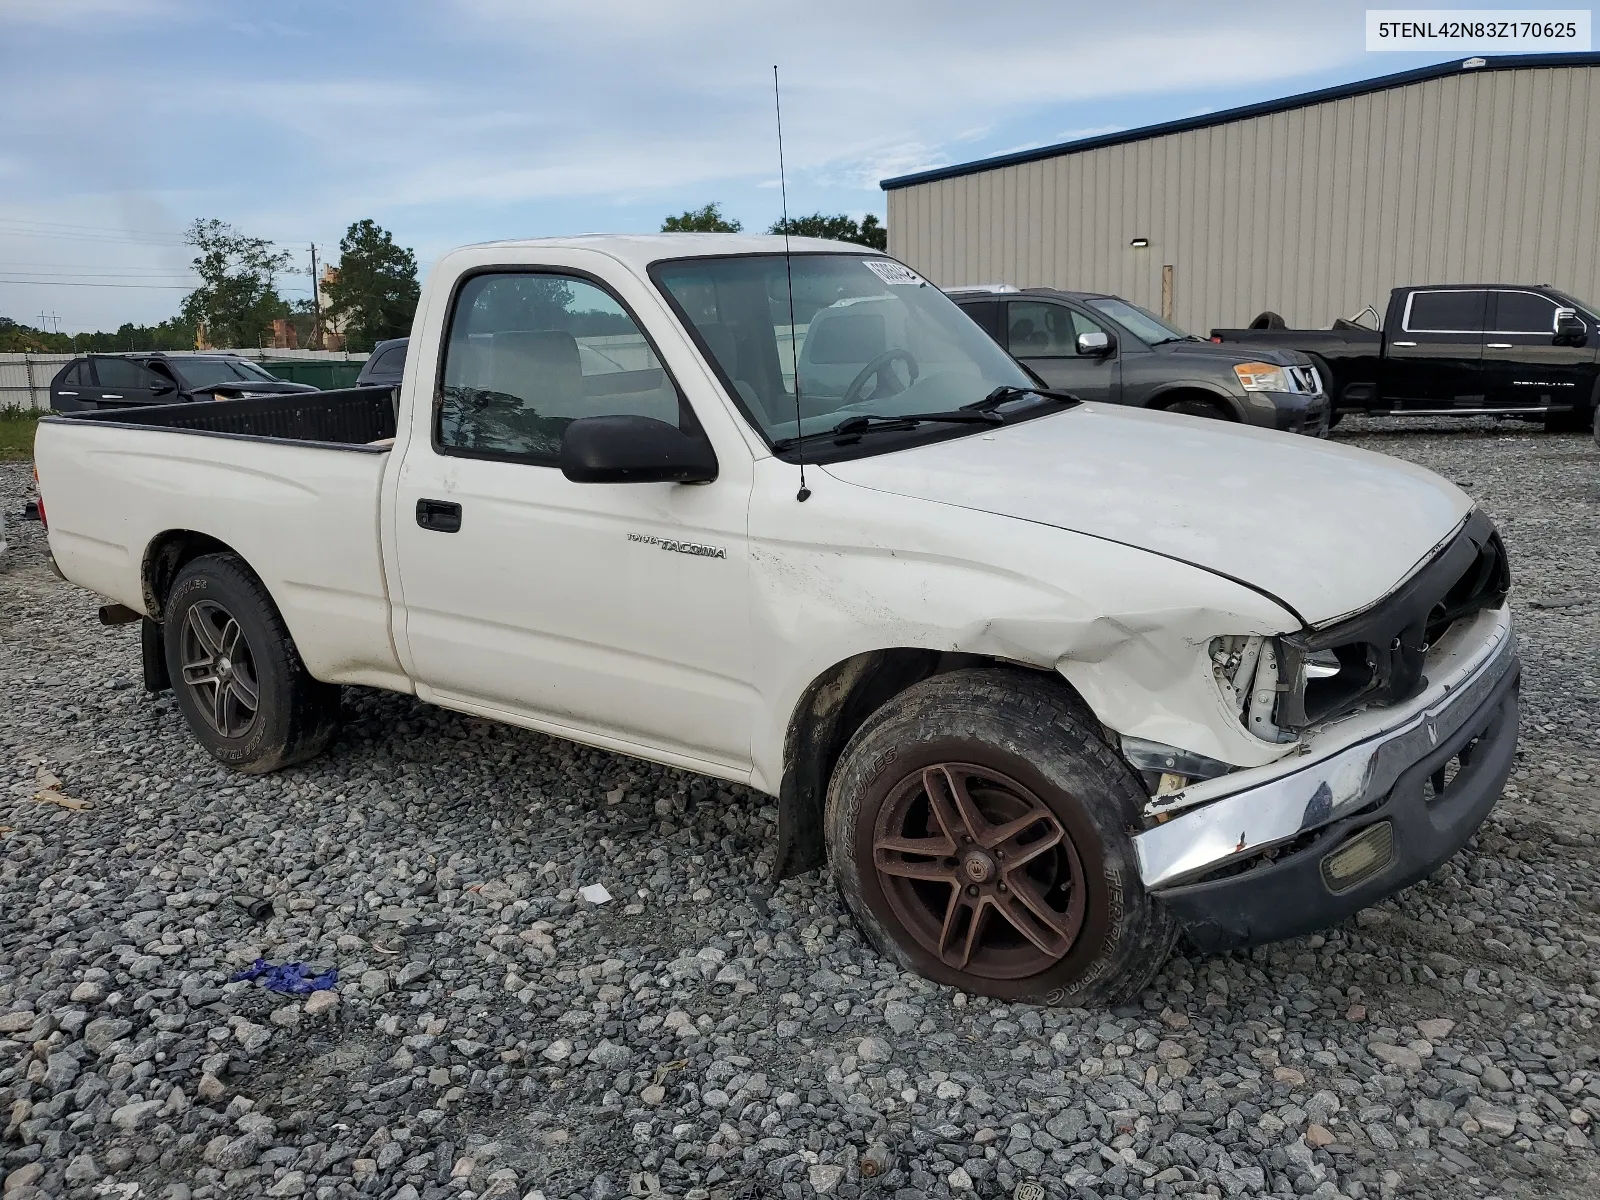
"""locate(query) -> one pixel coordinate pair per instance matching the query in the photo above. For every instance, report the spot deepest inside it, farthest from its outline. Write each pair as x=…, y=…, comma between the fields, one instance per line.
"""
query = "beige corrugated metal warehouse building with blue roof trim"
x=1478, y=170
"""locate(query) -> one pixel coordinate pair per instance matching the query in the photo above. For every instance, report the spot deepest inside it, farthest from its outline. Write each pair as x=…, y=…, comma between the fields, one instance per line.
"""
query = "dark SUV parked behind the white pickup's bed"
x=122, y=380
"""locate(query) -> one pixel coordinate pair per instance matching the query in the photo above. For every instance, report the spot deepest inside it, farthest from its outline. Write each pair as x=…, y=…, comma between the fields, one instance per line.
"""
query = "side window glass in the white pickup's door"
x=529, y=354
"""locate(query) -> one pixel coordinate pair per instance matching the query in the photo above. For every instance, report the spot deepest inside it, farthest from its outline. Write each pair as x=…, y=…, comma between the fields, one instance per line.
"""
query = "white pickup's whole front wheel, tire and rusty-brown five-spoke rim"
x=978, y=831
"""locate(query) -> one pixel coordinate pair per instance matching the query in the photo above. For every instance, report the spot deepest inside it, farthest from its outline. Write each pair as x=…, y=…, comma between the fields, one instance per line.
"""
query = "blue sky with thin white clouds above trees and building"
x=465, y=121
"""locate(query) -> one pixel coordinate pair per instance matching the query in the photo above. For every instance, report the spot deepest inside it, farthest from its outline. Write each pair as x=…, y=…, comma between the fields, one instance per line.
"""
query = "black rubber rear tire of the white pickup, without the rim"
x=297, y=716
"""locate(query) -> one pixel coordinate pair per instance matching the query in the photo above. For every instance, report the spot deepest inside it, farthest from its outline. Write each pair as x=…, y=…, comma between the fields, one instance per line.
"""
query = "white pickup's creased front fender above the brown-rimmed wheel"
x=1127, y=628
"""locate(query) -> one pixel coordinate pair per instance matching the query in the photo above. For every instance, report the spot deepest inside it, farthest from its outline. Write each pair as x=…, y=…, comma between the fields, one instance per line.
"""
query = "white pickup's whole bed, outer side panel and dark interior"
x=292, y=484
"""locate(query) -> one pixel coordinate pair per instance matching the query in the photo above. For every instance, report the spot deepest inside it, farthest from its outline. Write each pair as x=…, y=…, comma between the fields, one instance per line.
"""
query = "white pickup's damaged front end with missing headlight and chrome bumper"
x=1404, y=721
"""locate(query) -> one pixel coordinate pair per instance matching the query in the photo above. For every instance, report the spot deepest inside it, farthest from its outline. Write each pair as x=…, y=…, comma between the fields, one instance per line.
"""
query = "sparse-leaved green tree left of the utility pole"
x=238, y=298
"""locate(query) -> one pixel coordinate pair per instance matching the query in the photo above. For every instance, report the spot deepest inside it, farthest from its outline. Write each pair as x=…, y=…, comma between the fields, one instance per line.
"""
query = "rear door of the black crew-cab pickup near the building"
x=1436, y=359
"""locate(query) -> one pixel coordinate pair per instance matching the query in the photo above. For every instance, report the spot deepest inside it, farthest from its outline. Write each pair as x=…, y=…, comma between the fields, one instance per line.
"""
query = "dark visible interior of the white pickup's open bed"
x=351, y=418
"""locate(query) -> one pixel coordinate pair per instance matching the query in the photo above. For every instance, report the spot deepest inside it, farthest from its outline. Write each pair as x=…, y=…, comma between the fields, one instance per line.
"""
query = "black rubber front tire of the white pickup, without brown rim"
x=1034, y=730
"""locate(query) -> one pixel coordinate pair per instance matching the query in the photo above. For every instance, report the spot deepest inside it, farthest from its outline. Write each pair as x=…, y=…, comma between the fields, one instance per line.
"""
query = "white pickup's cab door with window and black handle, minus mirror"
x=615, y=614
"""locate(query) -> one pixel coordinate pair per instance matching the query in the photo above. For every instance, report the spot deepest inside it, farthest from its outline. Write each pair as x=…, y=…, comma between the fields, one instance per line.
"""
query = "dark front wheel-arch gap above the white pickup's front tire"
x=828, y=716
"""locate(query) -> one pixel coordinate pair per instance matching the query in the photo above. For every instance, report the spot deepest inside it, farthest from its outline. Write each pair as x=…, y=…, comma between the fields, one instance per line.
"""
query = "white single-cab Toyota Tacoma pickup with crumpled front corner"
x=1041, y=681
